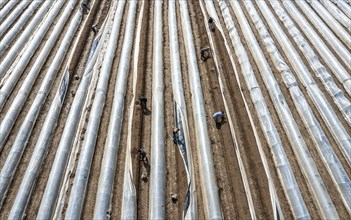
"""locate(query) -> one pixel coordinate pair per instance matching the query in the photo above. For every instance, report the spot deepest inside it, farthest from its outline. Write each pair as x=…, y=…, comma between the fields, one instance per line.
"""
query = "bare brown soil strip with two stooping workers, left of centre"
x=143, y=122
